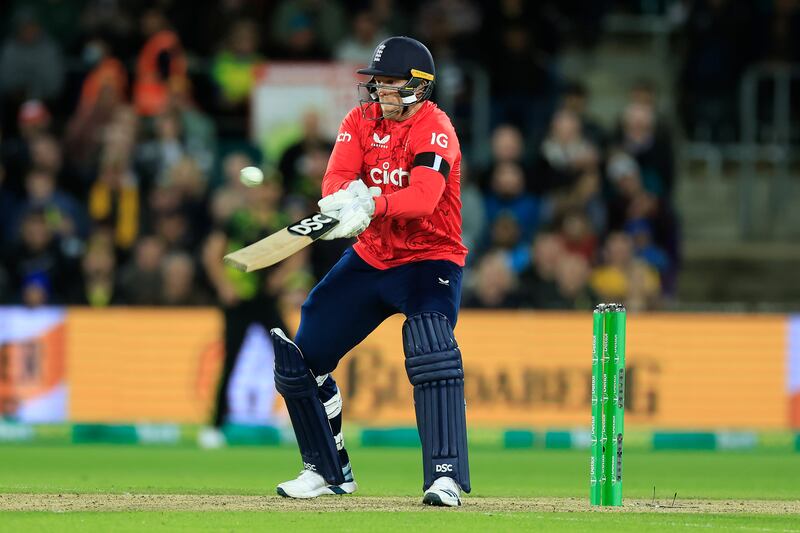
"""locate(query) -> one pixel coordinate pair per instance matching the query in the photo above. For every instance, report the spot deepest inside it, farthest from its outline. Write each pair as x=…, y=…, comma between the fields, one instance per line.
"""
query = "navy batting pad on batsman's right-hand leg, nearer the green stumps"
x=433, y=363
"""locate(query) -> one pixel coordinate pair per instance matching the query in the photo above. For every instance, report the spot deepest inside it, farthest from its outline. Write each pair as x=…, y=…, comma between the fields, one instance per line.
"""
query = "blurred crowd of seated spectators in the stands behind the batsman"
x=124, y=125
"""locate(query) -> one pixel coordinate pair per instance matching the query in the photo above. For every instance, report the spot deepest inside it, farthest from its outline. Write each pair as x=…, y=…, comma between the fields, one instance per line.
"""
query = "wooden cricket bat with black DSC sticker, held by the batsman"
x=281, y=244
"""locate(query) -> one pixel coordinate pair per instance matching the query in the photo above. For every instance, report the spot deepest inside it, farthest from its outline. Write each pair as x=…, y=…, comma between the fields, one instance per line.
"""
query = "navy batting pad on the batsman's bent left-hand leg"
x=299, y=389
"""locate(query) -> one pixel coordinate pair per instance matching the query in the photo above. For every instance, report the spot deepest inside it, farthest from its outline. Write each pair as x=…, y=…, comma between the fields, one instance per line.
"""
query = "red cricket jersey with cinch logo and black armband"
x=417, y=165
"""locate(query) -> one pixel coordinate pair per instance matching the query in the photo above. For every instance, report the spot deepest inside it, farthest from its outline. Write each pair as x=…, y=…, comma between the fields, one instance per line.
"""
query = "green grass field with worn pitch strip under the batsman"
x=126, y=488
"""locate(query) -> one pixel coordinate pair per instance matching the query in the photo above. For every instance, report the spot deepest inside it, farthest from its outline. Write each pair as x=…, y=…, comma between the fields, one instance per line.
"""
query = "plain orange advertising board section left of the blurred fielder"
x=156, y=365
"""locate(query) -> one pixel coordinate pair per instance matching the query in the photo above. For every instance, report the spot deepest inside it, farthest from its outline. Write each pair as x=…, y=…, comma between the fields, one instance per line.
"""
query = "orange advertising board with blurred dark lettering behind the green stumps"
x=534, y=369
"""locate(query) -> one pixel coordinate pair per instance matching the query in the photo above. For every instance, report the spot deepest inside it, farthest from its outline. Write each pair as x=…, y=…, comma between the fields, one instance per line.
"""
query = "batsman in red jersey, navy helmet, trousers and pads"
x=393, y=181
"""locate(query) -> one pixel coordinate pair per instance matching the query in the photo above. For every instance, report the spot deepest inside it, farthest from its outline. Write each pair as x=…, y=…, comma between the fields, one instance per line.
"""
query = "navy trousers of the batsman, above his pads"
x=354, y=298
